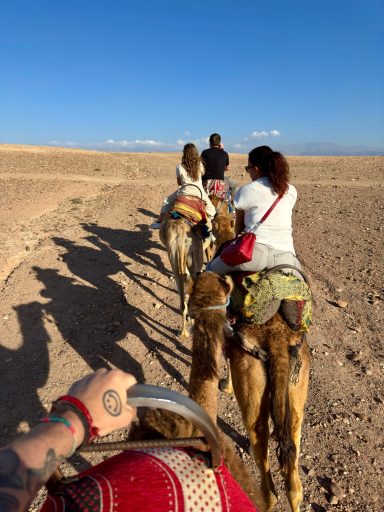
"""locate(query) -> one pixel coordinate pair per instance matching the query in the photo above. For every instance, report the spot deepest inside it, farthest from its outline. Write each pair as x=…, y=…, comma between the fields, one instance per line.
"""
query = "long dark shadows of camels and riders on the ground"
x=89, y=309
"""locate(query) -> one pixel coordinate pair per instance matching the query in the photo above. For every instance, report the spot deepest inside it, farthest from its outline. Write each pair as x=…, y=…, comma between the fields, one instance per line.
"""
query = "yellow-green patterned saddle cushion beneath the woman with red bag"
x=257, y=298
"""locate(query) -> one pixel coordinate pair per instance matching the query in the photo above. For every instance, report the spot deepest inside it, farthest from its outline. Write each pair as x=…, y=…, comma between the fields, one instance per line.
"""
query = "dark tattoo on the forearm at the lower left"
x=16, y=478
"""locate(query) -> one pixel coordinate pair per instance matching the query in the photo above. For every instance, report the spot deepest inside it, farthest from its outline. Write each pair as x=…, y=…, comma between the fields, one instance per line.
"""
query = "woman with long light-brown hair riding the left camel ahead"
x=188, y=176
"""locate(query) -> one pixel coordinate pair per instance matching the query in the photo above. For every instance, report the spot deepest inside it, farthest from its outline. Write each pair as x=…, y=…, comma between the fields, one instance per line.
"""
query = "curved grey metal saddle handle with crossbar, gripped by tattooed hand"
x=155, y=397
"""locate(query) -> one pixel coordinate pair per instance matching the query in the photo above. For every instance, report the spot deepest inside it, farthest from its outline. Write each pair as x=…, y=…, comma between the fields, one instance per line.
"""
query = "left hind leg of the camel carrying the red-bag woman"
x=250, y=386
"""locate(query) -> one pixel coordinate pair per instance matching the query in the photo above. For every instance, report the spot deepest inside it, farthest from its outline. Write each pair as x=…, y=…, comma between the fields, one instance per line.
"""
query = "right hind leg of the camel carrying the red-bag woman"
x=297, y=397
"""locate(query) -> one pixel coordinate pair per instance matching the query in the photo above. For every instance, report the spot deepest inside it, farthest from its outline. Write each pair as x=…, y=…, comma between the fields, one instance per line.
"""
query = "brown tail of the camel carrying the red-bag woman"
x=279, y=369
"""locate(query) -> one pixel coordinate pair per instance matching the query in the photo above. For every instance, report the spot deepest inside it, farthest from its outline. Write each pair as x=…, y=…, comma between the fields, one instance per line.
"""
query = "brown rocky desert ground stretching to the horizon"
x=85, y=283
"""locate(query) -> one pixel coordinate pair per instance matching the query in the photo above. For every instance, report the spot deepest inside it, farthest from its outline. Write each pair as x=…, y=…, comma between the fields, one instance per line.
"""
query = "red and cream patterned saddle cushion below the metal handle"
x=152, y=480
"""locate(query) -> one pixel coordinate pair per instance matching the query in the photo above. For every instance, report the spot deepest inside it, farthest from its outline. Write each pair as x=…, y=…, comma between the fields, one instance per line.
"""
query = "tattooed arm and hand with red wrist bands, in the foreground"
x=27, y=463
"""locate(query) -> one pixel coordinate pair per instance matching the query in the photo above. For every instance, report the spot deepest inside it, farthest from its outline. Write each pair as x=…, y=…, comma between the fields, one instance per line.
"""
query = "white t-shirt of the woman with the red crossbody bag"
x=255, y=199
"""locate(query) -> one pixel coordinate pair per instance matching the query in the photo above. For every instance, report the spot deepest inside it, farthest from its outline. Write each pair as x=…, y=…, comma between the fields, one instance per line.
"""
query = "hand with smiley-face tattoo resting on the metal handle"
x=104, y=394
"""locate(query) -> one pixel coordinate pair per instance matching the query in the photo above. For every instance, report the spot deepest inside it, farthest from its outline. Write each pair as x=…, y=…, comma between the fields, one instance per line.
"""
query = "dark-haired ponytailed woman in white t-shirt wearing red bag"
x=269, y=172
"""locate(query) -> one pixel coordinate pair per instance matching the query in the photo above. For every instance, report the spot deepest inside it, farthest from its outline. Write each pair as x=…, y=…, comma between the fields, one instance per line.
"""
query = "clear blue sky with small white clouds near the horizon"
x=138, y=75
